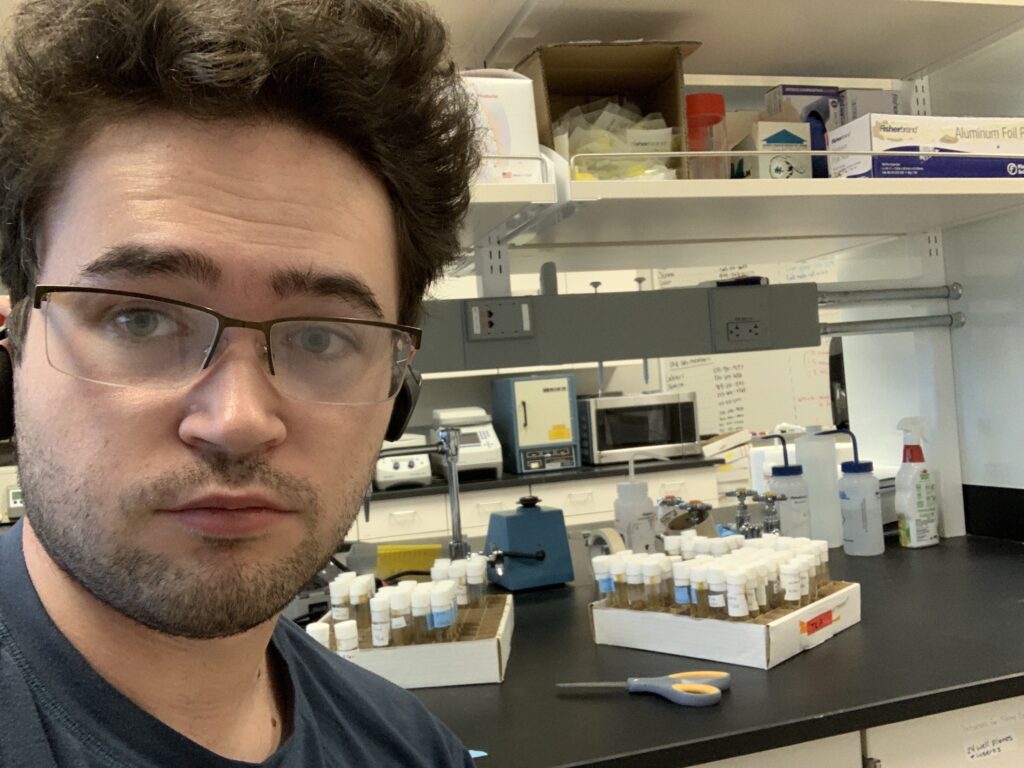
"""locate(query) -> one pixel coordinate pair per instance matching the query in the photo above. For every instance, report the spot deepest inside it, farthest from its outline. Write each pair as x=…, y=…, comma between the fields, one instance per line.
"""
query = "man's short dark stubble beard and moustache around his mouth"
x=217, y=594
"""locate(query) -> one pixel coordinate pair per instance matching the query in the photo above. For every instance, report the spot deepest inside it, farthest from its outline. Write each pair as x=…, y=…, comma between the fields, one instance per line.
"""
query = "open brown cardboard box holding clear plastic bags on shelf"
x=649, y=74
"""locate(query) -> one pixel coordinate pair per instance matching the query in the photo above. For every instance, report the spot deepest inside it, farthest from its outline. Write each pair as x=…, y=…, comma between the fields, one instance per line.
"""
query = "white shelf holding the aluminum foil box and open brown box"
x=734, y=210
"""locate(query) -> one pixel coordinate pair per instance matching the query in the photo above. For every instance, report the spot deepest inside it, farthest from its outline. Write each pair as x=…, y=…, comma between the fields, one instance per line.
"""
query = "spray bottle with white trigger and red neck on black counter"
x=917, y=499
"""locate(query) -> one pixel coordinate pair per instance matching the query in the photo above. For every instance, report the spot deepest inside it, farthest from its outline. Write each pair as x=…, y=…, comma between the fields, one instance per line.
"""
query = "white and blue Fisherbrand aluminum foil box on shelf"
x=956, y=139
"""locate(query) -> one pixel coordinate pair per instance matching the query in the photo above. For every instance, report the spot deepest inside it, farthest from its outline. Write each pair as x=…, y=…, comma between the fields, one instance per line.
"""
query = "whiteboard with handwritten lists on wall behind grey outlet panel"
x=754, y=391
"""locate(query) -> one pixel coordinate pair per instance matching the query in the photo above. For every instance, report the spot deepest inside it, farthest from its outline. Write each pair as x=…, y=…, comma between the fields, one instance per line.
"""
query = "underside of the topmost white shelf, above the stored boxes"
x=827, y=38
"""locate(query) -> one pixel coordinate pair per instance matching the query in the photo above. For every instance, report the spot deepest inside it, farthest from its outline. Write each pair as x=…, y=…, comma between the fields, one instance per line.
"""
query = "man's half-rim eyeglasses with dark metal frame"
x=137, y=340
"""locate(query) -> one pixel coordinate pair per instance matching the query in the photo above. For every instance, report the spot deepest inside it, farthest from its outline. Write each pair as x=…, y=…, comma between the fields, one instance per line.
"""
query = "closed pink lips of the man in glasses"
x=230, y=517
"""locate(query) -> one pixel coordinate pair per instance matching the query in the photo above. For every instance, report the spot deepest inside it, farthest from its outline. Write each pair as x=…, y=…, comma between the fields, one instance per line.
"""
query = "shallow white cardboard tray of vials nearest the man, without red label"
x=480, y=657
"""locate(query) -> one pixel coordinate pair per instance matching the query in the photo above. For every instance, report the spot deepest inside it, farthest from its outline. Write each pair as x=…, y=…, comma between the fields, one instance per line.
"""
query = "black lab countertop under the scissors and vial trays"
x=942, y=629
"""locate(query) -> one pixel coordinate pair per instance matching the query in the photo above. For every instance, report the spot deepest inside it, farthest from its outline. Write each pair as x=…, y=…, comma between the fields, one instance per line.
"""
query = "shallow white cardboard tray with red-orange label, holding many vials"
x=764, y=644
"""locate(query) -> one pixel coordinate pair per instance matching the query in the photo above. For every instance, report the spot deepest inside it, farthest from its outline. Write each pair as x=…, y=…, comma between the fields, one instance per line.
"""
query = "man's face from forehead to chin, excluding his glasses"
x=202, y=510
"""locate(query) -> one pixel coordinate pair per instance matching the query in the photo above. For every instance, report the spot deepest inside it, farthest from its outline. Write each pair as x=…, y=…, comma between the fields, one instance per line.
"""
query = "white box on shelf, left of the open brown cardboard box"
x=508, y=123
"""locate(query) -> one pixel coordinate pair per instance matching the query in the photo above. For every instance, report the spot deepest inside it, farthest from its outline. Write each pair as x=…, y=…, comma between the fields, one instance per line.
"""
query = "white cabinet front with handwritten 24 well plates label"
x=990, y=735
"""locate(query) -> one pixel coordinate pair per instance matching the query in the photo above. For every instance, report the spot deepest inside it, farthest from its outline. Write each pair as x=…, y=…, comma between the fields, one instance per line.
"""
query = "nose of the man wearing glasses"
x=235, y=408
